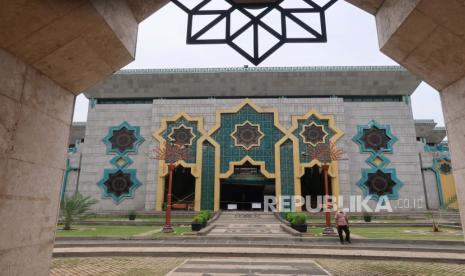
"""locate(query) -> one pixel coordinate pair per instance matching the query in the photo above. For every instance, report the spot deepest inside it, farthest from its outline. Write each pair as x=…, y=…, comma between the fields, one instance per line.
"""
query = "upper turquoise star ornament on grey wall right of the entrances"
x=375, y=138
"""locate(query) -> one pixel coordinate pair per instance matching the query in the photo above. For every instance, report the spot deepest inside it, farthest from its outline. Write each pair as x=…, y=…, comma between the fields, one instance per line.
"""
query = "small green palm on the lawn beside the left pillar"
x=75, y=207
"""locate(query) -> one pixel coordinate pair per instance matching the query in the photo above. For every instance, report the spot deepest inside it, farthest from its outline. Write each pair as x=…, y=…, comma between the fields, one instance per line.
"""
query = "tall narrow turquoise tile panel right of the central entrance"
x=287, y=169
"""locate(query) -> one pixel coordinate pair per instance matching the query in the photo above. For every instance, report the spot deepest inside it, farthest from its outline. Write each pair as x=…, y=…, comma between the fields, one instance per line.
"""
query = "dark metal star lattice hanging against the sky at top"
x=253, y=29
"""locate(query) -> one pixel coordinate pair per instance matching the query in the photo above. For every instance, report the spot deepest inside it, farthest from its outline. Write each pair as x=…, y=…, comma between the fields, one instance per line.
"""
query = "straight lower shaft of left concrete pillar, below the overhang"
x=34, y=125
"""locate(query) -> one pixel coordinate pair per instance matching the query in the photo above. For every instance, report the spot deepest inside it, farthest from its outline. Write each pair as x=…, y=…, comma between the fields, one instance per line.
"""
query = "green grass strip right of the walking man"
x=408, y=233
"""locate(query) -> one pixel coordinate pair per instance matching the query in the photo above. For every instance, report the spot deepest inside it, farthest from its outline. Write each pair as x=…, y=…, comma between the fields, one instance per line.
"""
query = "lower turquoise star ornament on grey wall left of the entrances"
x=119, y=184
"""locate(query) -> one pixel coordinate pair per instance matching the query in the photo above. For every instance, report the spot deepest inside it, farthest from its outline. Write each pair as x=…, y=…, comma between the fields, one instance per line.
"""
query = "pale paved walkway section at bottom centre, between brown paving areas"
x=248, y=266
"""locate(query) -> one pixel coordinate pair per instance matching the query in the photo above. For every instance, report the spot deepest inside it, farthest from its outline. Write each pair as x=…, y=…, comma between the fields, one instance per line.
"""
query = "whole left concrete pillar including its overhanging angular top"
x=49, y=52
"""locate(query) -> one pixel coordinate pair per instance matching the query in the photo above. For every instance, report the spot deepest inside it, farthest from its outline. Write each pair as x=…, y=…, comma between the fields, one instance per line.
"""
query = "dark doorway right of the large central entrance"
x=313, y=186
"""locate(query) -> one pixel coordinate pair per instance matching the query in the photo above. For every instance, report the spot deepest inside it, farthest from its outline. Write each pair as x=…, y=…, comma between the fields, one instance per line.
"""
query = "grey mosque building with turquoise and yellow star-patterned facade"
x=246, y=133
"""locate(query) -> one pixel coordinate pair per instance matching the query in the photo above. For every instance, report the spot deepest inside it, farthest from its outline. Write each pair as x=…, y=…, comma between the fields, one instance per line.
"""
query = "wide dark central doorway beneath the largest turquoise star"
x=244, y=188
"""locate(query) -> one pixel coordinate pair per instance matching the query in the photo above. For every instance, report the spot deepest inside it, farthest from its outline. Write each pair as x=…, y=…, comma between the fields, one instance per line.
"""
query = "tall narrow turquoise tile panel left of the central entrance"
x=208, y=177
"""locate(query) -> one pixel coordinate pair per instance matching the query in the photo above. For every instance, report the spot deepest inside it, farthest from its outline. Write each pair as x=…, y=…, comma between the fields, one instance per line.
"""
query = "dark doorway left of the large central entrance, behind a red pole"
x=183, y=189
